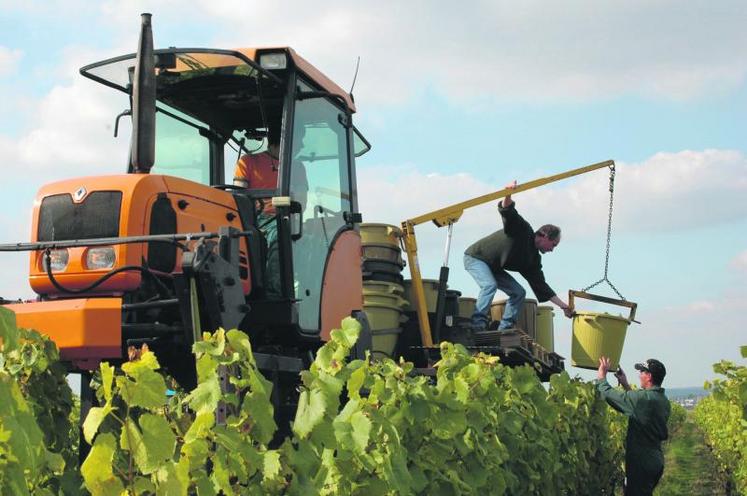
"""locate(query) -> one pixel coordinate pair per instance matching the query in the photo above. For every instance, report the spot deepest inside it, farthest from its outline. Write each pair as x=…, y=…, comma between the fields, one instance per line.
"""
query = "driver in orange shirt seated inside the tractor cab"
x=260, y=171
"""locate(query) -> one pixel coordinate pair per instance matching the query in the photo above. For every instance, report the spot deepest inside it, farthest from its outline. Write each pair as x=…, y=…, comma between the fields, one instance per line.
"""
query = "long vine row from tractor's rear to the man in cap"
x=481, y=427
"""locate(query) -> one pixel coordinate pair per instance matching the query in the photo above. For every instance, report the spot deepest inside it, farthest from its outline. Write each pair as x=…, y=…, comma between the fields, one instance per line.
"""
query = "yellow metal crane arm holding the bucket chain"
x=450, y=215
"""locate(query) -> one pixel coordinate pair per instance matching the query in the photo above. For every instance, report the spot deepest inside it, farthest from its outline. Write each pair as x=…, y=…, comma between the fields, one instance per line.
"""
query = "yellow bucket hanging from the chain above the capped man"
x=595, y=335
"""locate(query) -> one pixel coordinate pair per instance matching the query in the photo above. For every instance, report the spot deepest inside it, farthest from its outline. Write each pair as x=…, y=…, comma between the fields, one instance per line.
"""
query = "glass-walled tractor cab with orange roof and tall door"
x=216, y=107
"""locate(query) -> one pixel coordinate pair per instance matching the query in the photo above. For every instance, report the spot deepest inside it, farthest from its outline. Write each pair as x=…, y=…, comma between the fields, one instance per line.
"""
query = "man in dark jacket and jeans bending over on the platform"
x=516, y=247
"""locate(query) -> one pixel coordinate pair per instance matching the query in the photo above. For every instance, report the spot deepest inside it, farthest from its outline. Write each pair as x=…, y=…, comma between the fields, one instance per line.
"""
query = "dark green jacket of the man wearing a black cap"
x=647, y=411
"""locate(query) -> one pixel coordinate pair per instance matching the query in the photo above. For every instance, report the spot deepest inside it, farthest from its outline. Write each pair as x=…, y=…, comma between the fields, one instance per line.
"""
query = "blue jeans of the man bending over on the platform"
x=490, y=282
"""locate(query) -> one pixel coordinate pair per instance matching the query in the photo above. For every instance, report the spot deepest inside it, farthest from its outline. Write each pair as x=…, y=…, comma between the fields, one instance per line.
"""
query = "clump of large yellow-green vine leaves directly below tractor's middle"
x=144, y=444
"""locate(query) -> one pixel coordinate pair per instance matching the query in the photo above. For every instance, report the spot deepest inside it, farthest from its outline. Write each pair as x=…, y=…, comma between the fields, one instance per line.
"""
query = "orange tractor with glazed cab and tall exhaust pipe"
x=172, y=247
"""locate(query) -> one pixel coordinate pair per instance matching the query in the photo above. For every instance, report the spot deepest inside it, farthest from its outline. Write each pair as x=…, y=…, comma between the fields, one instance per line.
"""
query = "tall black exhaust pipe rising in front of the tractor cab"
x=143, y=146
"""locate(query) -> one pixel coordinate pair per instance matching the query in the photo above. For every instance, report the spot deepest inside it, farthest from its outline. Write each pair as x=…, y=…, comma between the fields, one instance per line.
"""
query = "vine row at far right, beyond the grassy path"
x=722, y=417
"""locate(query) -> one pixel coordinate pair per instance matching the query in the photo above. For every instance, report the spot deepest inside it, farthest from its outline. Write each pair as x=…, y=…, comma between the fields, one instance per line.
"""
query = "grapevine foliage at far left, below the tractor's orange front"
x=38, y=427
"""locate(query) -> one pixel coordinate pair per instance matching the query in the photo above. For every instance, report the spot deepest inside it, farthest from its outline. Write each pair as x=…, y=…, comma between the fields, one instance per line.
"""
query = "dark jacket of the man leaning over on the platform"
x=512, y=248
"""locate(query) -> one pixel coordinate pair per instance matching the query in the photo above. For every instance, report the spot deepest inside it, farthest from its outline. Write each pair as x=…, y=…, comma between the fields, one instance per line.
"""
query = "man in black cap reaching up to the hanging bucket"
x=647, y=410
